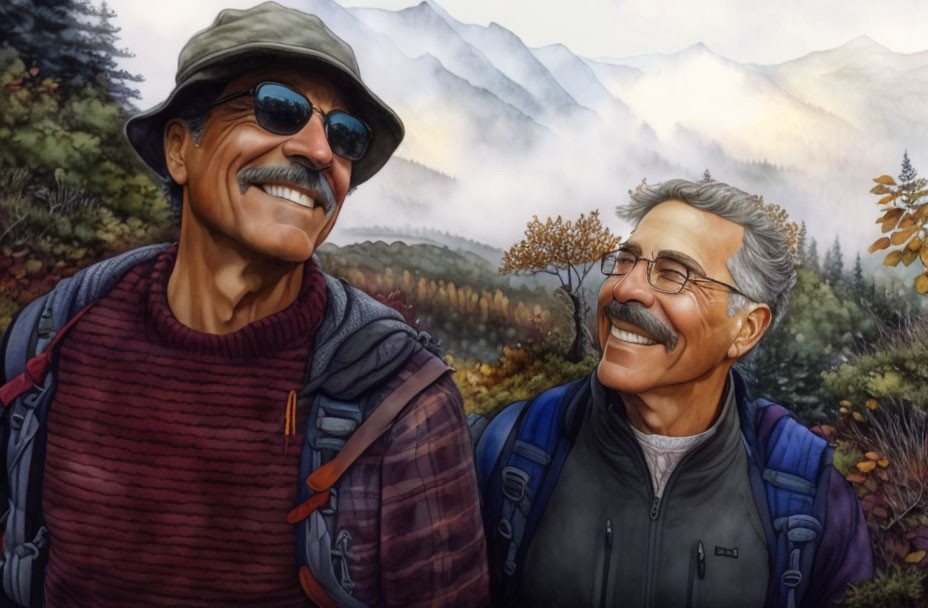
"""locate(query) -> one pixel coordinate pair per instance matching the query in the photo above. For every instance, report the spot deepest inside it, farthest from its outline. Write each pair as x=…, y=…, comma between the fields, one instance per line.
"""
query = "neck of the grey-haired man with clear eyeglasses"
x=679, y=410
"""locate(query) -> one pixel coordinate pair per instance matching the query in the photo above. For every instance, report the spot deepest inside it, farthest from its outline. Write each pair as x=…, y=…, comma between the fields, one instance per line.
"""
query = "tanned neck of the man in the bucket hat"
x=218, y=286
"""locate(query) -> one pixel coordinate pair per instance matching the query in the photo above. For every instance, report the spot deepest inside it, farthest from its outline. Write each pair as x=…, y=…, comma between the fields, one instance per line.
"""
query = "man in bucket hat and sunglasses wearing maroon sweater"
x=178, y=418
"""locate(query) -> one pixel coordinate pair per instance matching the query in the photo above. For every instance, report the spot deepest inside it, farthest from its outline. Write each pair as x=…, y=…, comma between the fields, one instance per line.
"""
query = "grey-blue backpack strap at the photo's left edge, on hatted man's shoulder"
x=23, y=421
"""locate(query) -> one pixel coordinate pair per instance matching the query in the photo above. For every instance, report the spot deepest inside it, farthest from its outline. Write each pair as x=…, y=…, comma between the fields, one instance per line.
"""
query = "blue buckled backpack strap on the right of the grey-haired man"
x=789, y=477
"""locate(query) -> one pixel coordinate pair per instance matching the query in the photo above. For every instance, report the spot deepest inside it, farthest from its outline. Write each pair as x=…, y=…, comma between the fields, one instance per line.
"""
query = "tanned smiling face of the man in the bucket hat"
x=279, y=217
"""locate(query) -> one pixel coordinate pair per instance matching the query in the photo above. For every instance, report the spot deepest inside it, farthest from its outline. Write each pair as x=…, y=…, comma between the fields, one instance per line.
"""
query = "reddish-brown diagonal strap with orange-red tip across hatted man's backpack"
x=322, y=479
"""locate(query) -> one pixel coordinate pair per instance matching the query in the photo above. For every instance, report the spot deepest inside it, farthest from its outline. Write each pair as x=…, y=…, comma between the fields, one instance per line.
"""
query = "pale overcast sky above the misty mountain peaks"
x=748, y=32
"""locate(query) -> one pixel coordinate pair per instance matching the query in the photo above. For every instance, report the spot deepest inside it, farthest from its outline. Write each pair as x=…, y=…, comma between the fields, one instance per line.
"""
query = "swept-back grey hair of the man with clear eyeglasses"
x=762, y=268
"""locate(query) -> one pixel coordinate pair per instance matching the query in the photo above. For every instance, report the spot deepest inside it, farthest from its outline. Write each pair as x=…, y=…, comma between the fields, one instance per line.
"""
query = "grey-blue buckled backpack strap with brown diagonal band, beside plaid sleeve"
x=317, y=575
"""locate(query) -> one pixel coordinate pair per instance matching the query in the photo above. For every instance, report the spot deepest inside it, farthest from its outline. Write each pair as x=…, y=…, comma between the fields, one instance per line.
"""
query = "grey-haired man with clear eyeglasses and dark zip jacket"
x=658, y=481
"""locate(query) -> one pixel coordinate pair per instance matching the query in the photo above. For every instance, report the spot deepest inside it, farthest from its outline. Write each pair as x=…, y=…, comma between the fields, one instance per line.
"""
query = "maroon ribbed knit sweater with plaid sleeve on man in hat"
x=168, y=475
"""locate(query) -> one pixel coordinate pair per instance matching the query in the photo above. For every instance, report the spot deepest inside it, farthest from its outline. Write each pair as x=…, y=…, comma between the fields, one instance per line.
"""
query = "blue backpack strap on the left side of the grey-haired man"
x=524, y=449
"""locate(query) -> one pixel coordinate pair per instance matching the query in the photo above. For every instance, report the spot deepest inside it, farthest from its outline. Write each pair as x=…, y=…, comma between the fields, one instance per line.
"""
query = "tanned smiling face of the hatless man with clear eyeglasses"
x=671, y=341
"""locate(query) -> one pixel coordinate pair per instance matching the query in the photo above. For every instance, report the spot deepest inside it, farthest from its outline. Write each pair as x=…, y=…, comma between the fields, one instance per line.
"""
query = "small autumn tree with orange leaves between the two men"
x=567, y=250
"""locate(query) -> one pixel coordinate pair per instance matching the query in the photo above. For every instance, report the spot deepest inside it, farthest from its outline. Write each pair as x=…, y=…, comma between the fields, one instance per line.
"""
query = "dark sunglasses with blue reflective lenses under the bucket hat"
x=285, y=111
